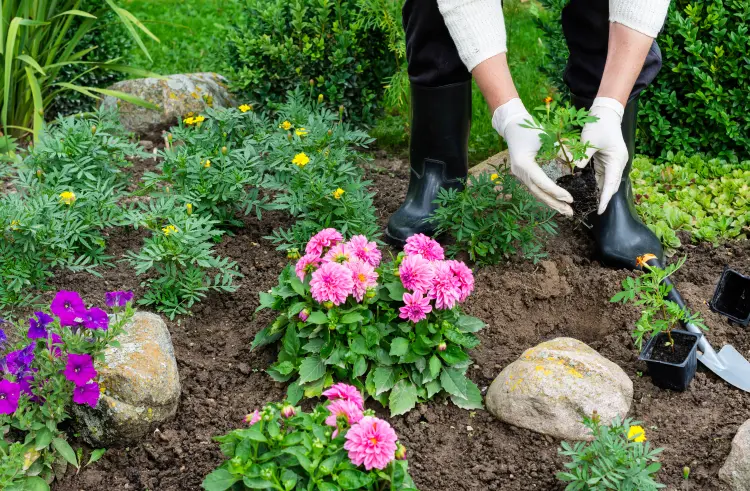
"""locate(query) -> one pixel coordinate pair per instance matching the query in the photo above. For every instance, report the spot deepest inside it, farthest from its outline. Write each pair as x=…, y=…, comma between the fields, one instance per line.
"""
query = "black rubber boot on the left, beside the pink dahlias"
x=439, y=149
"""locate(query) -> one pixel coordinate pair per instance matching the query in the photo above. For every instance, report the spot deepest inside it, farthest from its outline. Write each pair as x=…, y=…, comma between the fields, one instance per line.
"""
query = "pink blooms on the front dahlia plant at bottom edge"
x=370, y=441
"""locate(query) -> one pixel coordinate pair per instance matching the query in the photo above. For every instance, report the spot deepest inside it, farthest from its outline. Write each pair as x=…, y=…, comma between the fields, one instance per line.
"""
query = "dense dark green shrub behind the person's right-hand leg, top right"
x=697, y=104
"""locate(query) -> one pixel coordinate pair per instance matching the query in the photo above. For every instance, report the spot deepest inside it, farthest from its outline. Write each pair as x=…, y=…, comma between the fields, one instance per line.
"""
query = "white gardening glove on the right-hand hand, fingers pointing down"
x=608, y=150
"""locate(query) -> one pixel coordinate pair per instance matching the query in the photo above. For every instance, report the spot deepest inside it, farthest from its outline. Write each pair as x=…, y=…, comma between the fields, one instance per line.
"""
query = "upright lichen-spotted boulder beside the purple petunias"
x=142, y=385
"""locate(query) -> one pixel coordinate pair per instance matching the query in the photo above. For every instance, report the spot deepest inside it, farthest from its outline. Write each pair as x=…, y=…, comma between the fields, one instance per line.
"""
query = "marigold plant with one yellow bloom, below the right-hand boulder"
x=619, y=458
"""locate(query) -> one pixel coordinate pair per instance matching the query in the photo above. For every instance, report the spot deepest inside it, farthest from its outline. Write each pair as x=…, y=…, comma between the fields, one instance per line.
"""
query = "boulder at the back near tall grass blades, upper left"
x=176, y=96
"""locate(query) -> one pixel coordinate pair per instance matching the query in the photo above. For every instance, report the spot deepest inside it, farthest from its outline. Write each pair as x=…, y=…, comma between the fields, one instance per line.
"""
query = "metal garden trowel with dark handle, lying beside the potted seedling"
x=728, y=363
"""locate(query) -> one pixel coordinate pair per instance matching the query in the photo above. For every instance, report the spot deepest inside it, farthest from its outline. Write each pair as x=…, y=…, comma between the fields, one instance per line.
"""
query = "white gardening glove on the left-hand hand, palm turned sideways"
x=523, y=145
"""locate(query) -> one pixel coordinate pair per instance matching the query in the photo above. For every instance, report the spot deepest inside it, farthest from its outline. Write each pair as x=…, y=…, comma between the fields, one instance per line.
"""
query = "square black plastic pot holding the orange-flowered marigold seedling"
x=673, y=370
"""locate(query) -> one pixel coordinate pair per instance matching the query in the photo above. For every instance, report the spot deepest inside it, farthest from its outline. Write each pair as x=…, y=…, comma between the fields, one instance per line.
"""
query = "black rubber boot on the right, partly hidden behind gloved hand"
x=619, y=233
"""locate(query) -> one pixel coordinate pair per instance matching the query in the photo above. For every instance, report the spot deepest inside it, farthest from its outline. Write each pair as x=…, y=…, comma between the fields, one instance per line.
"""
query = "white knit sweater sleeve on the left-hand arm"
x=477, y=27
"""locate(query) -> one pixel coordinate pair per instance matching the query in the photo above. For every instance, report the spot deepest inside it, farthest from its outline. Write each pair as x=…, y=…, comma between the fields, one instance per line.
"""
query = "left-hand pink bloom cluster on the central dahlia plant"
x=339, y=269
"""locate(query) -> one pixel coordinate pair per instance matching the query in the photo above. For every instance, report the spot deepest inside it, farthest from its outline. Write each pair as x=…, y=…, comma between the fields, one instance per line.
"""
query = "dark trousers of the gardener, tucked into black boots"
x=434, y=61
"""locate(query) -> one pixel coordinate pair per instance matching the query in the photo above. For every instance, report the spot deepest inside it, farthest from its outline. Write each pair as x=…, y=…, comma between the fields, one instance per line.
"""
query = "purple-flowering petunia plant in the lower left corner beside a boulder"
x=51, y=369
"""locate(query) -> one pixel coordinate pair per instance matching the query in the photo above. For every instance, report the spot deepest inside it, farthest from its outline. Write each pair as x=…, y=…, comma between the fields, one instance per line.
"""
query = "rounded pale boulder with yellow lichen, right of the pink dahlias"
x=555, y=384
